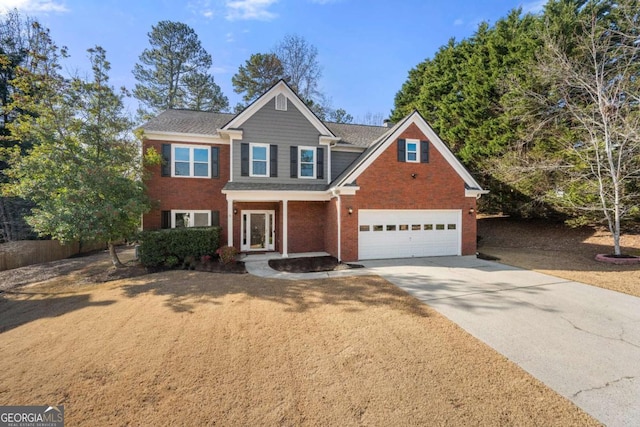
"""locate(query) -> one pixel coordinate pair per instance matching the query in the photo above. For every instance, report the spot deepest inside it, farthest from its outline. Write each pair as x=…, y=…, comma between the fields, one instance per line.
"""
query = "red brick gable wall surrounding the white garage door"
x=388, y=184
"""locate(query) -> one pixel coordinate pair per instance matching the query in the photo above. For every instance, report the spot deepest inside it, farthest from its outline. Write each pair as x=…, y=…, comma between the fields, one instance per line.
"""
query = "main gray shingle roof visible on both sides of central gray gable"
x=203, y=123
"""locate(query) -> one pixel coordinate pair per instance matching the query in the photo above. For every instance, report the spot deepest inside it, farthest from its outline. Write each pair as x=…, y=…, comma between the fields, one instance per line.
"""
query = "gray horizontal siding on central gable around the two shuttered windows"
x=285, y=129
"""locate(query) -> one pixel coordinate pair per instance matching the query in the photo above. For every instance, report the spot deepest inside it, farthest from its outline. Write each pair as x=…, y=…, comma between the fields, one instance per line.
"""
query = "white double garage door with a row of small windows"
x=408, y=233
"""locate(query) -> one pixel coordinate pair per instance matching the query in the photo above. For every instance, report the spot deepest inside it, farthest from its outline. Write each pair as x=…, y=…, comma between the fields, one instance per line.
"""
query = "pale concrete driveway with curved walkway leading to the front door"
x=580, y=340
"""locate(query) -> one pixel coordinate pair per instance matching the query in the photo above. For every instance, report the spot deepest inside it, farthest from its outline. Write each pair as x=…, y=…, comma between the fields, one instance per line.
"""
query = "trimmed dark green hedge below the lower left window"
x=176, y=246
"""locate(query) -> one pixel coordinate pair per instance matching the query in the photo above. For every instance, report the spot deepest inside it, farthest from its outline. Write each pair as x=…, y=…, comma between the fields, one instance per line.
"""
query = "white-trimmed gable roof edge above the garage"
x=348, y=177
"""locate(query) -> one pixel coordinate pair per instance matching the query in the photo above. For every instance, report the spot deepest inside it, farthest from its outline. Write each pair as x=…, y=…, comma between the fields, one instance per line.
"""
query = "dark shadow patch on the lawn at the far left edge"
x=31, y=306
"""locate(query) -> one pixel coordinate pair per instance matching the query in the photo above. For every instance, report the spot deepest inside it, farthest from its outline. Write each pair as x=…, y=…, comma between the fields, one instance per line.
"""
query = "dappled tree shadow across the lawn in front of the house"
x=184, y=291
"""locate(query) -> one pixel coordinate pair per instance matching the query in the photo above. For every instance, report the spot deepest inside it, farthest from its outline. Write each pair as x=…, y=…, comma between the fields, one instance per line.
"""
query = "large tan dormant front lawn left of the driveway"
x=193, y=348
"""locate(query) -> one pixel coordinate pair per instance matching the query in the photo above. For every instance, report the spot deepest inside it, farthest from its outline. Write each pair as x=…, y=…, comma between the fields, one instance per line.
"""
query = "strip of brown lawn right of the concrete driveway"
x=561, y=251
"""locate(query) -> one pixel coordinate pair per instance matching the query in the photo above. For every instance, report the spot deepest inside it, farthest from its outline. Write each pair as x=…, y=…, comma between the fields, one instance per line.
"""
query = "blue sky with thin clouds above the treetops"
x=365, y=47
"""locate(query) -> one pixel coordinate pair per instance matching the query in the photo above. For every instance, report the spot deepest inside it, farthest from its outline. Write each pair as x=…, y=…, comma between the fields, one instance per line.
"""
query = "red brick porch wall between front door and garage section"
x=307, y=224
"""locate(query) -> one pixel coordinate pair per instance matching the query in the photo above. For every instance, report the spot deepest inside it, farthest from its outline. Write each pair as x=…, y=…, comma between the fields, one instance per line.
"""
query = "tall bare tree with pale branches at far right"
x=593, y=82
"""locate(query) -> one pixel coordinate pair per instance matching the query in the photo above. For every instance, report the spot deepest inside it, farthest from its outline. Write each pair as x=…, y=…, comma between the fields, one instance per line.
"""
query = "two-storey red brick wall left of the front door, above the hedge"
x=186, y=193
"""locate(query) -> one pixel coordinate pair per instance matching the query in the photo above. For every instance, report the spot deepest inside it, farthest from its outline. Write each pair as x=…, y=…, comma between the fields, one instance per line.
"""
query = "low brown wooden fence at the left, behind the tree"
x=28, y=252
